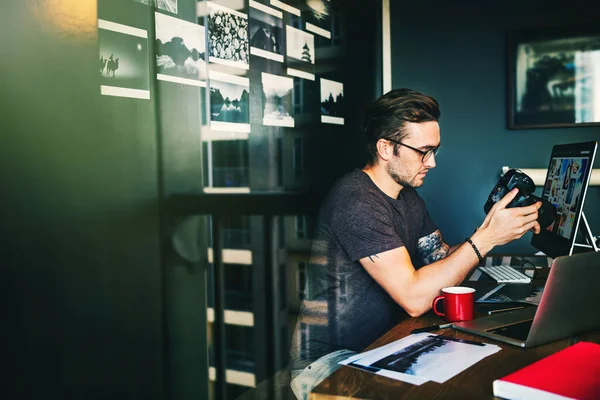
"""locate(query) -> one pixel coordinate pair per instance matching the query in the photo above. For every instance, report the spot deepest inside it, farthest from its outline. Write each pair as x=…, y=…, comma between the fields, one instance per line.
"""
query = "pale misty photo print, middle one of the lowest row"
x=278, y=97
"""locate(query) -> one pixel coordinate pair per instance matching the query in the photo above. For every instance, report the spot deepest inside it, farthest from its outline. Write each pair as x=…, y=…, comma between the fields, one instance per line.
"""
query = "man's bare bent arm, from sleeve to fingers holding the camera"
x=414, y=290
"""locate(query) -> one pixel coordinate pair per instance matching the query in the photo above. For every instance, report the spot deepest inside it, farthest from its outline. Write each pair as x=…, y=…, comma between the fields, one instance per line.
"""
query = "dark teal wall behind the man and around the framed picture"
x=456, y=51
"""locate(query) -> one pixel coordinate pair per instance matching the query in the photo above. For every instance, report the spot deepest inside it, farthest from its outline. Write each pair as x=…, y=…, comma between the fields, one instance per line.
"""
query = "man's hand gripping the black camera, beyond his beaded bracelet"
x=503, y=225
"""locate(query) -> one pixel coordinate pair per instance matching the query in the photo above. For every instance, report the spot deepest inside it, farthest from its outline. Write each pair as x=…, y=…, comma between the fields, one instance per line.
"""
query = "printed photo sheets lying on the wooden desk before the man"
x=422, y=357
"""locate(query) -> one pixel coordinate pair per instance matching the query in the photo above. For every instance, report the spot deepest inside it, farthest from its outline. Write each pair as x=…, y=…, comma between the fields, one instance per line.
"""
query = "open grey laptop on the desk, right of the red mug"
x=568, y=306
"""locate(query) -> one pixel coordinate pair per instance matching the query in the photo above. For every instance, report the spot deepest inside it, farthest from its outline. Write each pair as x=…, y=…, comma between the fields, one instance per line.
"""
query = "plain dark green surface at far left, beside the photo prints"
x=79, y=233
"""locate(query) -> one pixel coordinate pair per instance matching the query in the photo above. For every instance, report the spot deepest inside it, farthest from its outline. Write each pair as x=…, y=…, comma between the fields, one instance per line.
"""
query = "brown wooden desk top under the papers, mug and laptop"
x=473, y=383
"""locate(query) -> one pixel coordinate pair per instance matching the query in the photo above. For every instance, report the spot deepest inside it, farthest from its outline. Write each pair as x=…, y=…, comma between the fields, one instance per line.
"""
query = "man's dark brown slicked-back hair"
x=387, y=116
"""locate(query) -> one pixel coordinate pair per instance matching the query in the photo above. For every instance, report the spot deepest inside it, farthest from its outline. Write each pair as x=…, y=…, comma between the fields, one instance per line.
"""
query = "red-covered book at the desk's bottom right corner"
x=571, y=373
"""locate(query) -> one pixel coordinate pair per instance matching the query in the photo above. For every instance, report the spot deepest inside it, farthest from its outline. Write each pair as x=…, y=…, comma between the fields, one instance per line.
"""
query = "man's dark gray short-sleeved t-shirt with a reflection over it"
x=343, y=307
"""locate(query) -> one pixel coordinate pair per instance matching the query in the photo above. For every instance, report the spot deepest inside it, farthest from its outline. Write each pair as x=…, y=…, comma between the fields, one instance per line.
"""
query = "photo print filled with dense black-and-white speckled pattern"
x=228, y=36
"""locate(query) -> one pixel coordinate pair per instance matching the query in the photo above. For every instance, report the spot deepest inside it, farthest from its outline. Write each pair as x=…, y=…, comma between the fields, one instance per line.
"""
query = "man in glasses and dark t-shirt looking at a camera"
x=377, y=257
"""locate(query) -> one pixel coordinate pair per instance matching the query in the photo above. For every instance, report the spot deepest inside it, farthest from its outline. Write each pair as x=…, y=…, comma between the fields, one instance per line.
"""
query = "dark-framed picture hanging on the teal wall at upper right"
x=554, y=77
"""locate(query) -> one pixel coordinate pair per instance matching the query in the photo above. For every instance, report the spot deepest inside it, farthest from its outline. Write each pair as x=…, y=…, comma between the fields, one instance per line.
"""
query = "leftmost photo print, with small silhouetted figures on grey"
x=124, y=69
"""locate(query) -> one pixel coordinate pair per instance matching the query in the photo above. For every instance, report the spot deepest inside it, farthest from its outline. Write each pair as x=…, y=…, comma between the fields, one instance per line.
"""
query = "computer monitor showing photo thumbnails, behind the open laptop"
x=565, y=187
